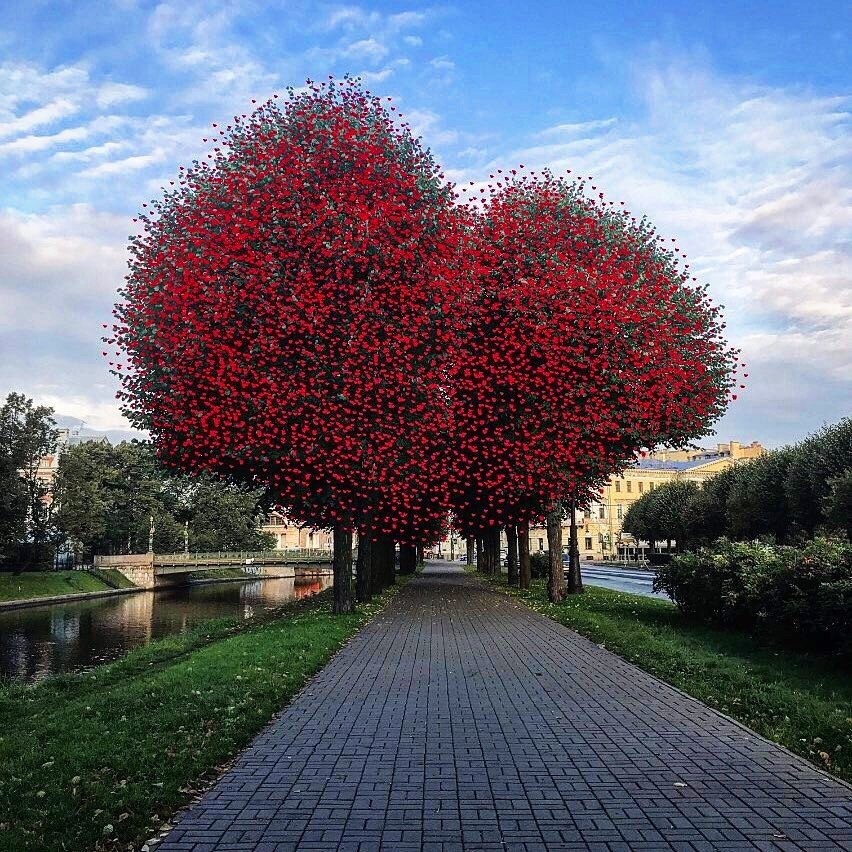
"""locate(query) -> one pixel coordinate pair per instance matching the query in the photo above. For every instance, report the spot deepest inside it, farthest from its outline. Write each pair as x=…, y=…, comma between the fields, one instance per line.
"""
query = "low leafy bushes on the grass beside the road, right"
x=802, y=595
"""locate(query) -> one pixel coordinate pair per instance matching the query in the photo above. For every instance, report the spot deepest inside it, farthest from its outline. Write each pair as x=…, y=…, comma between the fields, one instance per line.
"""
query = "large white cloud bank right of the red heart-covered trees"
x=756, y=183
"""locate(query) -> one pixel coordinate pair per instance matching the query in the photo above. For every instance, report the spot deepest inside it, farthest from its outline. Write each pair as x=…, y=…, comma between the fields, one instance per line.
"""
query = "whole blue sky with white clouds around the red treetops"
x=728, y=125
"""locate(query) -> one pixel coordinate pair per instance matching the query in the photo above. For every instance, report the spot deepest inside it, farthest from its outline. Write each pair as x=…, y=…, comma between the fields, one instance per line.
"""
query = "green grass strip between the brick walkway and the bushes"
x=800, y=701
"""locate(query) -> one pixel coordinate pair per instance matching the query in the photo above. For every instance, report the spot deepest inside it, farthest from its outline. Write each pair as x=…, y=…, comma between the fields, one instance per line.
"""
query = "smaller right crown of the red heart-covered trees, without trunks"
x=583, y=343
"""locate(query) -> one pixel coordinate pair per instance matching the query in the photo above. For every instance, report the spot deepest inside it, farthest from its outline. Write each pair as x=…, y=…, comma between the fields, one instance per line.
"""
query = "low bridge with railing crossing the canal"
x=154, y=571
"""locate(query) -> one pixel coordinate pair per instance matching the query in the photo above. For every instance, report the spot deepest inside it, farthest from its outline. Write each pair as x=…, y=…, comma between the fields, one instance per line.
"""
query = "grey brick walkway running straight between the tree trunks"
x=460, y=720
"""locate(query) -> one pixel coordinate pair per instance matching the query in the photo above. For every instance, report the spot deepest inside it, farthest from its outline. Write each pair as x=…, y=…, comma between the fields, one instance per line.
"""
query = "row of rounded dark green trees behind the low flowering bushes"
x=786, y=494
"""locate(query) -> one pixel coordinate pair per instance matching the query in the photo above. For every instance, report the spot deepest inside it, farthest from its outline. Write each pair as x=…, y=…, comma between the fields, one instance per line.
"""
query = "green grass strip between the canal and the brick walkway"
x=100, y=760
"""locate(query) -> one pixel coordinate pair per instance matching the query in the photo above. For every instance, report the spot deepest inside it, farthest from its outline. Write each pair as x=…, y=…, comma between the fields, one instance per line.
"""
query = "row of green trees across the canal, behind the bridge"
x=104, y=497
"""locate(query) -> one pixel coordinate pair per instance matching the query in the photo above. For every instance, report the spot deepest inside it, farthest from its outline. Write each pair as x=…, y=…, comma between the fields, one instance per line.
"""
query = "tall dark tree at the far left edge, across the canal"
x=27, y=434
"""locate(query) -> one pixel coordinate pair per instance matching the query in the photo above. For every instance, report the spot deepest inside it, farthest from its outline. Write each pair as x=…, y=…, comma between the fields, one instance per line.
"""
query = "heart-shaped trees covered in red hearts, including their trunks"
x=316, y=311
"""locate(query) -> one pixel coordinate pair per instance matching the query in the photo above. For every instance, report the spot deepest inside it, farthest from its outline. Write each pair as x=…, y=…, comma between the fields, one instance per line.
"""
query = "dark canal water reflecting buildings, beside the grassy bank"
x=43, y=640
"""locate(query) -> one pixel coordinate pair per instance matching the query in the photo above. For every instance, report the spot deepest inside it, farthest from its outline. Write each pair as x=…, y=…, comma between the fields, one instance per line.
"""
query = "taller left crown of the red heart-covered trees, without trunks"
x=282, y=320
